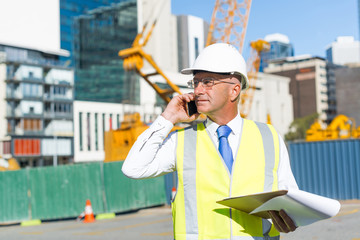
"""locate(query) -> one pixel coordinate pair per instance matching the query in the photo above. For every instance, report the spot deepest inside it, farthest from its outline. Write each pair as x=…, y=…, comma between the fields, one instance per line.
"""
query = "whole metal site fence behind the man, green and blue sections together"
x=328, y=168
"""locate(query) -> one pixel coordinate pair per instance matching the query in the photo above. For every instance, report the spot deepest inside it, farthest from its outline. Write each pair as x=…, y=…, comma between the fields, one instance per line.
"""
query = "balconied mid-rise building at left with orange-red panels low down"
x=36, y=107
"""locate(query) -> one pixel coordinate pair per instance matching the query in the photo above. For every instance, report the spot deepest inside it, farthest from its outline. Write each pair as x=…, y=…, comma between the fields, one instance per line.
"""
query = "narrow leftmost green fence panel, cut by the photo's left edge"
x=14, y=202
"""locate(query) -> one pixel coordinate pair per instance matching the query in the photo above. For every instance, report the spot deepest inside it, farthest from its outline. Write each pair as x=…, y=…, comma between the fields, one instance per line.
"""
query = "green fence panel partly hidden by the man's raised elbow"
x=124, y=194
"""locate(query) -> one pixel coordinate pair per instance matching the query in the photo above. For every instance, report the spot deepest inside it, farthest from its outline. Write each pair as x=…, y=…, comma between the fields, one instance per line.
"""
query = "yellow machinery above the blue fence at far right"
x=342, y=127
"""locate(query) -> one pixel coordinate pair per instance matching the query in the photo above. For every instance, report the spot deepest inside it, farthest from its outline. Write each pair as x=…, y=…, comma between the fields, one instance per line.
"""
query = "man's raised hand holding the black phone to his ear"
x=176, y=110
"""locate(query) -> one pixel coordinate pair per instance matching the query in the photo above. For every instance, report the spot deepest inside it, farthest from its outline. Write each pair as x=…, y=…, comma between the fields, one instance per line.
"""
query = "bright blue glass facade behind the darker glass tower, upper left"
x=70, y=9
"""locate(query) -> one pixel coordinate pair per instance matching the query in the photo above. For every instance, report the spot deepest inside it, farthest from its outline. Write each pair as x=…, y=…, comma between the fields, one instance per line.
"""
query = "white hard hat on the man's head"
x=220, y=58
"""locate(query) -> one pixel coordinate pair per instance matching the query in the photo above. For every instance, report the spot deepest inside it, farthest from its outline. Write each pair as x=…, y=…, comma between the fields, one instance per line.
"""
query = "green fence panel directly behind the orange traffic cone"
x=60, y=192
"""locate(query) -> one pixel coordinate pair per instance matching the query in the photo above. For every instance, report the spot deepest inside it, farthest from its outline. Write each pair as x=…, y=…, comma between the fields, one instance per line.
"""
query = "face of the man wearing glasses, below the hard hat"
x=213, y=100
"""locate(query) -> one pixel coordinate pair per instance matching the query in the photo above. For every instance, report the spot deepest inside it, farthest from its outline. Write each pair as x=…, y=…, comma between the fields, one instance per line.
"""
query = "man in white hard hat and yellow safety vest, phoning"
x=225, y=156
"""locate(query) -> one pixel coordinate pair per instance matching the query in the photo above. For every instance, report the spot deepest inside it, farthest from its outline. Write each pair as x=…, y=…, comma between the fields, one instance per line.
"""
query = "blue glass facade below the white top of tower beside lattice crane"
x=277, y=50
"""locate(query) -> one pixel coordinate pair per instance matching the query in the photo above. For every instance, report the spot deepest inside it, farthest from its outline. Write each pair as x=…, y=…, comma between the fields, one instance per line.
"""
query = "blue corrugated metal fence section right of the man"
x=327, y=168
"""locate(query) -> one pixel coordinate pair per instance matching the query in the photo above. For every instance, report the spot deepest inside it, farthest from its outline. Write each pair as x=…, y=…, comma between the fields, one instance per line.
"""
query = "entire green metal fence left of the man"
x=61, y=192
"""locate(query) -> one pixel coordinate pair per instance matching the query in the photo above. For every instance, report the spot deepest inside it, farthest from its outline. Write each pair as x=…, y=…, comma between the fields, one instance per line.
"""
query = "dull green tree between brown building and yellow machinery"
x=297, y=129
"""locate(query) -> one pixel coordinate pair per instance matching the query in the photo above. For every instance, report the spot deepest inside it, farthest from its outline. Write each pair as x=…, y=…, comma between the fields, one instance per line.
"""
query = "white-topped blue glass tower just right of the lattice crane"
x=280, y=47
